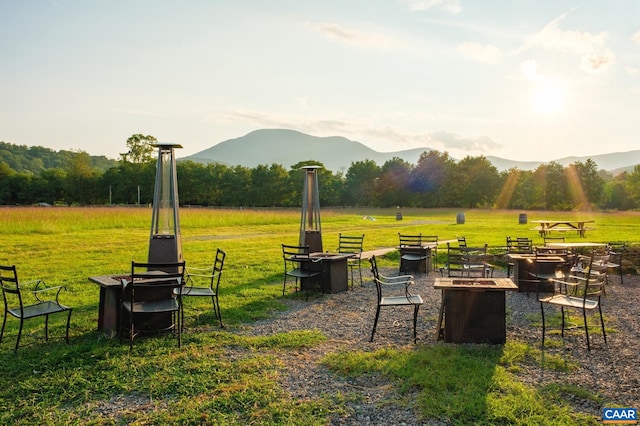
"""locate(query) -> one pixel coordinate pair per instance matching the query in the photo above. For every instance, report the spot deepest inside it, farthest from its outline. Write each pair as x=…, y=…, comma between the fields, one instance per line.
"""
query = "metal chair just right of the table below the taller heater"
x=209, y=280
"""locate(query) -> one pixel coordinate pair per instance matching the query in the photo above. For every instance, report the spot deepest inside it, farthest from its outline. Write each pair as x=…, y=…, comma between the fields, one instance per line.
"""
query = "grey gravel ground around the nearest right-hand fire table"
x=346, y=319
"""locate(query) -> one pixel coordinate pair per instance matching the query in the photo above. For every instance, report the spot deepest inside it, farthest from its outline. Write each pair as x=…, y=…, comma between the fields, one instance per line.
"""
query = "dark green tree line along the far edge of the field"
x=436, y=180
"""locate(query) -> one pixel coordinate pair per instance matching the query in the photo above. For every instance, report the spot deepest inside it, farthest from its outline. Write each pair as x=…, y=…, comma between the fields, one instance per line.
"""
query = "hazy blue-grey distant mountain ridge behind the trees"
x=288, y=147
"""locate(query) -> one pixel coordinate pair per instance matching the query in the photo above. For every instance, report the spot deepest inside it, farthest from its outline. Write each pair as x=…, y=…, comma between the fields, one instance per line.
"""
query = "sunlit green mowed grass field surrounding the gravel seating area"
x=96, y=380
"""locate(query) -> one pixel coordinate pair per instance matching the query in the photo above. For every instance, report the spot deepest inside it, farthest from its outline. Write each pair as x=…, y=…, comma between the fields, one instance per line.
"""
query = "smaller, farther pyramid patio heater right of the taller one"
x=310, y=228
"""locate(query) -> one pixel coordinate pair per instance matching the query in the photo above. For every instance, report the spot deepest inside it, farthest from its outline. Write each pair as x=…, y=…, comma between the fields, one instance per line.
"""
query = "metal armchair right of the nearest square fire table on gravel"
x=577, y=292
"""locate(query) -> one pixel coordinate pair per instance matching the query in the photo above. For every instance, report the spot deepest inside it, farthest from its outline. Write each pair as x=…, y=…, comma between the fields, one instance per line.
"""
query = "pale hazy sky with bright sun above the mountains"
x=523, y=80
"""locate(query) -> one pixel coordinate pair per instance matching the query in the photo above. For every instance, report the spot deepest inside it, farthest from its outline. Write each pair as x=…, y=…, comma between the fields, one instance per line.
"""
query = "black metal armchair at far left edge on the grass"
x=29, y=300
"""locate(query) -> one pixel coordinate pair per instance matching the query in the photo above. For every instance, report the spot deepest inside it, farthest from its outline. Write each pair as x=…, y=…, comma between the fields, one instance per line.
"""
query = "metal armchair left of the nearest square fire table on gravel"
x=388, y=298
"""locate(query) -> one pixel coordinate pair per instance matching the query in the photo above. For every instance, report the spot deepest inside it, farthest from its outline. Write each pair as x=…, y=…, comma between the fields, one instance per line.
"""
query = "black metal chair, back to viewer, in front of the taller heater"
x=152, y=300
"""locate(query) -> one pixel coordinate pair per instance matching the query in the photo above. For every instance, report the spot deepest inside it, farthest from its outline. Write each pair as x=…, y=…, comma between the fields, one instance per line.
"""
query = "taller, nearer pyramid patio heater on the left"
x=165, y=245
